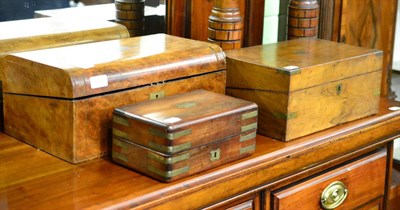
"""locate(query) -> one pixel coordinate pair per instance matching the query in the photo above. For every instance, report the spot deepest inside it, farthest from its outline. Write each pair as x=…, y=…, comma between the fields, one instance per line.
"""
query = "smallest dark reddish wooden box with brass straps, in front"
x=180, y=135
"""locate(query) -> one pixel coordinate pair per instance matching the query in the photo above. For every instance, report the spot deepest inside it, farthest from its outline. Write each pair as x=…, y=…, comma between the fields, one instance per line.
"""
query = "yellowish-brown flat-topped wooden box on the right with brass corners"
x=306, y=85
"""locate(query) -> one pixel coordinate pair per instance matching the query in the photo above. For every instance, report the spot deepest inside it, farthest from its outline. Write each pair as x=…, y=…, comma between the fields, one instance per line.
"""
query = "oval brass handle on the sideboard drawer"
x=333, y=195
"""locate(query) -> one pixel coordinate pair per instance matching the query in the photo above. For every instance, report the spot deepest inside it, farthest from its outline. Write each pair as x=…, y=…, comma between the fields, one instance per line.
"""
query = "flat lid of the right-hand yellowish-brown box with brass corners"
x=298, y=64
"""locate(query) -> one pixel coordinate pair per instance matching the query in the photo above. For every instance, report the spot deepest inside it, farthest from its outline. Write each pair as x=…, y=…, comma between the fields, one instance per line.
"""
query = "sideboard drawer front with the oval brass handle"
x=363, y=186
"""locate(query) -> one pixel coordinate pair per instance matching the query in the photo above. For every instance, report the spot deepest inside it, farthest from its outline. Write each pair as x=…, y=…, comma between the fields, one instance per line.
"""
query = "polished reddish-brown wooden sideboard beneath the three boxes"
x=279, y=175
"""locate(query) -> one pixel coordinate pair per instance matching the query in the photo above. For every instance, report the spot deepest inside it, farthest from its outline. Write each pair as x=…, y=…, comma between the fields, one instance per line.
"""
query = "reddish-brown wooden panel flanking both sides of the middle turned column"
x=189, y=18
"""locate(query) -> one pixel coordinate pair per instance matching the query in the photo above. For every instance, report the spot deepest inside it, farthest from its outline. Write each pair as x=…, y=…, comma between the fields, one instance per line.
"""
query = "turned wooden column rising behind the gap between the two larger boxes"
x=225, y=24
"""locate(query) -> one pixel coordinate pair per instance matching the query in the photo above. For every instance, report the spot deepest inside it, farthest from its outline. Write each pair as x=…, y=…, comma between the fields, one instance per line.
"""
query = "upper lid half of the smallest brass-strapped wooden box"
x=176, y=123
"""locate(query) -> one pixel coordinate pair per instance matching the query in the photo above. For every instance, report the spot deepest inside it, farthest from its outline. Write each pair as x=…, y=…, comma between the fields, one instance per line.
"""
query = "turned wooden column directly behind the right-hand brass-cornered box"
x=303, y=19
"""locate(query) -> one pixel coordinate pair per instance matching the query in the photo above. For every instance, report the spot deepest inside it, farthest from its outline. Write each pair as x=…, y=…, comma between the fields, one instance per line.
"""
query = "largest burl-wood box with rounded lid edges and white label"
x=61, y=100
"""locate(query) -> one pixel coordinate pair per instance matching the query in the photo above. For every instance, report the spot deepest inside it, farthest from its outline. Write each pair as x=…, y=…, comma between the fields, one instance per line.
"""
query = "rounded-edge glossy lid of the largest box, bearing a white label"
x=95, y=68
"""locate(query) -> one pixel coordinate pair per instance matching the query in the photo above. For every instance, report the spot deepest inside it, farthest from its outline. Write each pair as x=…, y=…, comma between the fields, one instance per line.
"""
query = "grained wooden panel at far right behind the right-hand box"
x=370, y=24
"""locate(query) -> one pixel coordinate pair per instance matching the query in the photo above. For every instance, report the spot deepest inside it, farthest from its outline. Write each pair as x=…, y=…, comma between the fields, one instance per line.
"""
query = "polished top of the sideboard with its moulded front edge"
x=102, y=184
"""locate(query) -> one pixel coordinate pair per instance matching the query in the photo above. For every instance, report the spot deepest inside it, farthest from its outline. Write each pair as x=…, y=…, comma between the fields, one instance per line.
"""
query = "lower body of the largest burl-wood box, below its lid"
x=78, y=130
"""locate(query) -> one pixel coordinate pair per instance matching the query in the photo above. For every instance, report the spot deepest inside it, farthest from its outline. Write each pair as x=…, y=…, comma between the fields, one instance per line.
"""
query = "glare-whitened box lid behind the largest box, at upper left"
x=42, y=33
